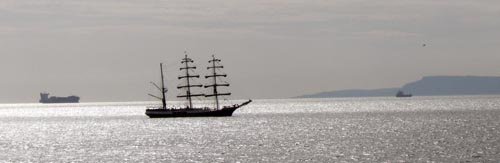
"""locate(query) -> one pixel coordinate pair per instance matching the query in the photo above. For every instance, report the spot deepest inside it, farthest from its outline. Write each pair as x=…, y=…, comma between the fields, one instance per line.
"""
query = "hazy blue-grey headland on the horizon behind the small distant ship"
x=427, y=86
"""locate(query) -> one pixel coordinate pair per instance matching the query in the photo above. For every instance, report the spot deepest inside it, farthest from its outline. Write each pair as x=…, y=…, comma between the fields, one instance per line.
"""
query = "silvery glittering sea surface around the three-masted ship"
x=441, y=129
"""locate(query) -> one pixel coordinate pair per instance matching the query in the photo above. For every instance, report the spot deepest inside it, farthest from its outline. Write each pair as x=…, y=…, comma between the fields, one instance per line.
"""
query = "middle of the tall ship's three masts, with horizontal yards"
x=188, y=77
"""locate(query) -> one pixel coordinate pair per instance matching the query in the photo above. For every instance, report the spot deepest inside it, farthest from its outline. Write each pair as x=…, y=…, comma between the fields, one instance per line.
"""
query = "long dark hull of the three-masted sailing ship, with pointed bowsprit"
x=193, y=112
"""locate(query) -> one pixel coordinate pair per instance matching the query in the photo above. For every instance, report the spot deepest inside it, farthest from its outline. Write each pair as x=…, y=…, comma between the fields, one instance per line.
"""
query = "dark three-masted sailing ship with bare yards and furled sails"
x=189, y=110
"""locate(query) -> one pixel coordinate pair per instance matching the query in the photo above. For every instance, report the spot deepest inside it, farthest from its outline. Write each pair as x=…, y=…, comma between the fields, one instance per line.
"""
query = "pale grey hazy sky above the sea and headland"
x=109, y=50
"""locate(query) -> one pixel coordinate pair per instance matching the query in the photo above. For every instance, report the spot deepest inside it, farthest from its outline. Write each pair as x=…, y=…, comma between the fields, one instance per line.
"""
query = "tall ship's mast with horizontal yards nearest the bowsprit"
x=214, y=75
